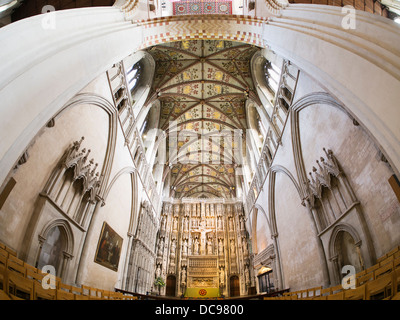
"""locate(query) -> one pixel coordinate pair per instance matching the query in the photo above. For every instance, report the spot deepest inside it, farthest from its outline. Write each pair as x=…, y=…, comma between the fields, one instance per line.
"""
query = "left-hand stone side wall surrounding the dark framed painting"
x=35, y=204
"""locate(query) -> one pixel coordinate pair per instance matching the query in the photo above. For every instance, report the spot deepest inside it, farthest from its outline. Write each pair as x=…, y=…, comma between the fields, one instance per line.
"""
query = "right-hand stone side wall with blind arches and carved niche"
x=309, y=256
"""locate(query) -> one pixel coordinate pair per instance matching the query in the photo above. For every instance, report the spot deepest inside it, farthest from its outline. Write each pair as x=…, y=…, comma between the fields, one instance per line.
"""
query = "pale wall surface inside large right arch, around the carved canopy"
x=359, y=157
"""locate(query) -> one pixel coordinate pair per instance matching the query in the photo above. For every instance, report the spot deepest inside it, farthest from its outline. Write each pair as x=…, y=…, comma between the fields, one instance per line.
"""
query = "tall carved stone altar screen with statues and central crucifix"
x=203, y=243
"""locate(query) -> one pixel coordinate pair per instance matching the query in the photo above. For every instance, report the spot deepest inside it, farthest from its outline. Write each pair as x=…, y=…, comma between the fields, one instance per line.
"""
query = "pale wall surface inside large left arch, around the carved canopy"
x=73, y=123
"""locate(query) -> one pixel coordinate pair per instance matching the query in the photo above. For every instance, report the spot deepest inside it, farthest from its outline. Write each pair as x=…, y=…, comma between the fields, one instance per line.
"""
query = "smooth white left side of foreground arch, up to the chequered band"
x=65, y=77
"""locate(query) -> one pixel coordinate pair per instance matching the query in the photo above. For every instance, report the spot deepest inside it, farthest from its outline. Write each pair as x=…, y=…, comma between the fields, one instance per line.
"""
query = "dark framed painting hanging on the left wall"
x=108, y=248
